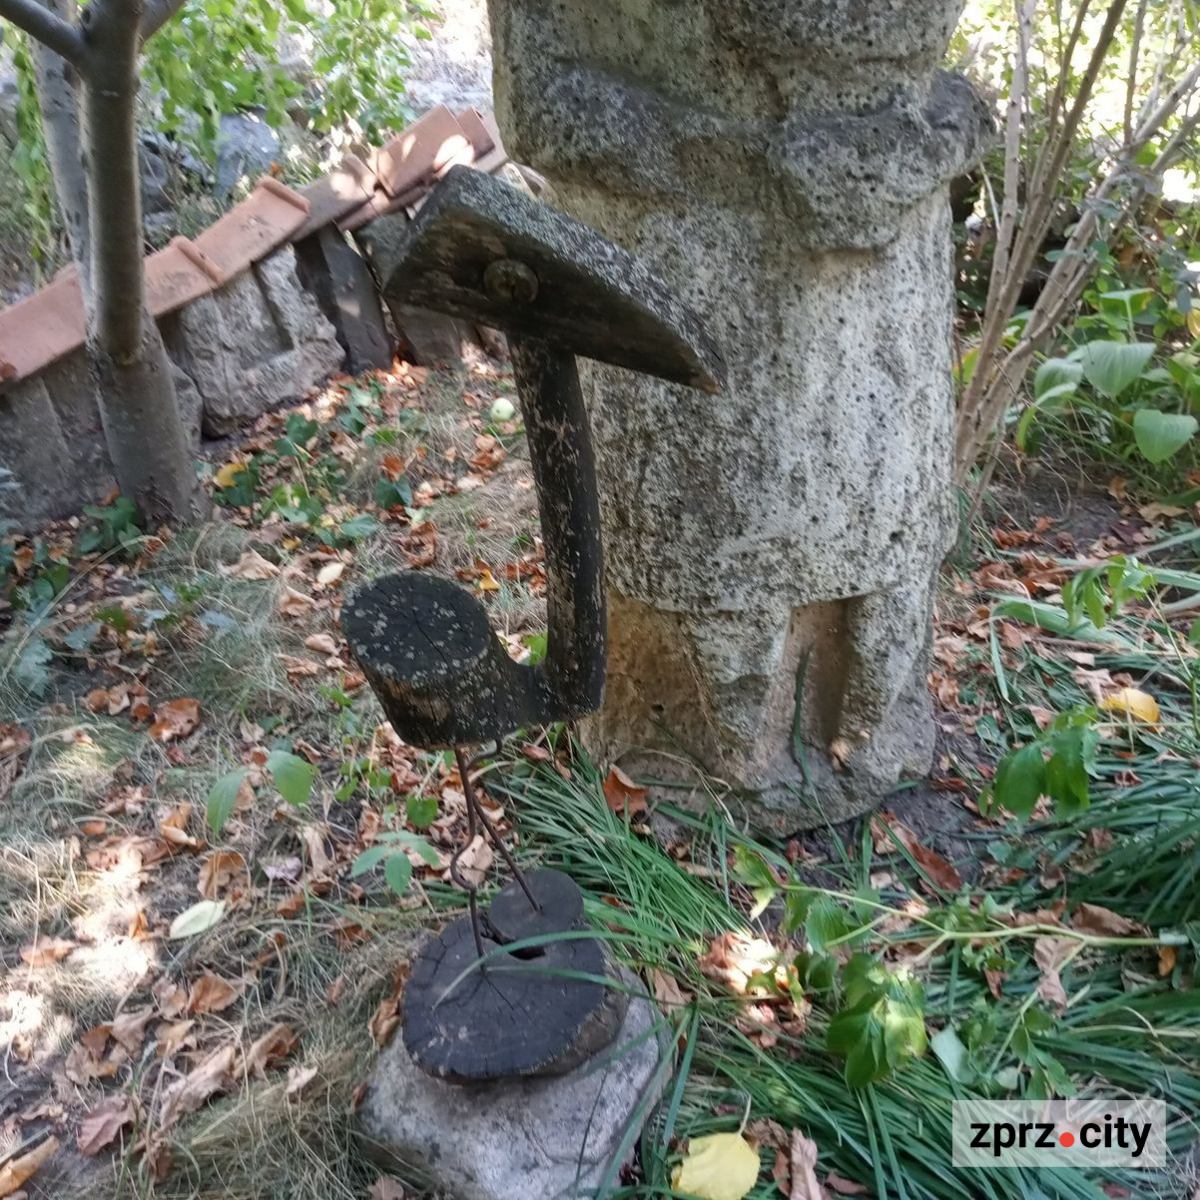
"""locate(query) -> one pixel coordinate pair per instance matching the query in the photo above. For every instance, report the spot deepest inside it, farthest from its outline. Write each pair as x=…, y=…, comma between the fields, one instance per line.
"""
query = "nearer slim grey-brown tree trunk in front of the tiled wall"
x=143, y=429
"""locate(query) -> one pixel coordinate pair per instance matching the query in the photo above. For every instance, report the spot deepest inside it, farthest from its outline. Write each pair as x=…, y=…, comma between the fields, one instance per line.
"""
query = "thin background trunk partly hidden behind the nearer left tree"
x=58, y=99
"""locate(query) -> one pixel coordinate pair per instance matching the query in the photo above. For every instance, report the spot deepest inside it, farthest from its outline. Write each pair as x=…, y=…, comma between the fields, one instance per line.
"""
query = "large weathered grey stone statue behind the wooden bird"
x=772, y=554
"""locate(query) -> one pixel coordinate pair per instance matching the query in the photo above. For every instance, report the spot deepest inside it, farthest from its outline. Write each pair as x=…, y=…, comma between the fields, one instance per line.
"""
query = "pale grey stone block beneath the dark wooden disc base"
x=519, y=1139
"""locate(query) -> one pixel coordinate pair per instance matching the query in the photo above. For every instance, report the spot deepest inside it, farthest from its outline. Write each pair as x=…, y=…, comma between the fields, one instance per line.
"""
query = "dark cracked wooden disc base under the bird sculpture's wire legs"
x=543, y=1013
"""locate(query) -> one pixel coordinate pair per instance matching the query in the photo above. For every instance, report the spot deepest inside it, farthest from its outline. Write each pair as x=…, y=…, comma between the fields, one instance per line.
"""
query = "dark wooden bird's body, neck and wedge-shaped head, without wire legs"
x=483, y=251
